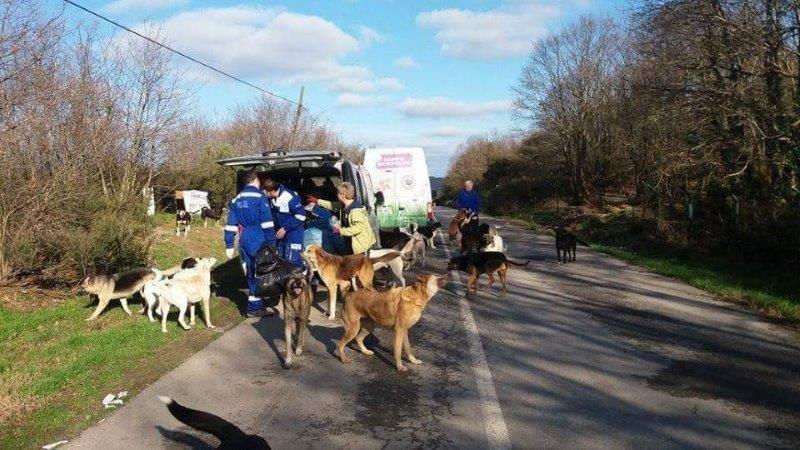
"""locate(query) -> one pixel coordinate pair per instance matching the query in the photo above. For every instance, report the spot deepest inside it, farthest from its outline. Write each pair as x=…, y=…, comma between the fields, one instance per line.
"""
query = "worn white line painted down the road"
x=496, y=430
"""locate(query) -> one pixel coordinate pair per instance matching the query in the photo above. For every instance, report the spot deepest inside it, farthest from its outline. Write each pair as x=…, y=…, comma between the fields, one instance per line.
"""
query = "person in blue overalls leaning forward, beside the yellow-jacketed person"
x=290, y=217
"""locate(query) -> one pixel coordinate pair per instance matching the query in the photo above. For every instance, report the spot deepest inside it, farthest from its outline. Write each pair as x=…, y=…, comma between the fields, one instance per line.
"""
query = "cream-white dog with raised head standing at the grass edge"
x=187, y=288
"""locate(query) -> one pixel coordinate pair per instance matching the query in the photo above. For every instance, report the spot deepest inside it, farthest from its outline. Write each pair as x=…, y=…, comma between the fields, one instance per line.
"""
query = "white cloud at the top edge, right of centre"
x=498, y=33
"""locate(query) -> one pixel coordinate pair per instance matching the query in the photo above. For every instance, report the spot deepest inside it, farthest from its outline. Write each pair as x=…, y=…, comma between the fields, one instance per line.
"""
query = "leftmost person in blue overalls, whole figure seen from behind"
x=250, y=210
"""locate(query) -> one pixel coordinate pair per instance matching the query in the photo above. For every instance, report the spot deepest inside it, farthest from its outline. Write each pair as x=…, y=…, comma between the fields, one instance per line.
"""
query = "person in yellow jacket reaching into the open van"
x=355, y=227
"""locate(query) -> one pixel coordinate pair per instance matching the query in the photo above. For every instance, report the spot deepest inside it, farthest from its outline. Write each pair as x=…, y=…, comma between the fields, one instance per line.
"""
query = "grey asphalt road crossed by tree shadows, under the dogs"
x=595, y=354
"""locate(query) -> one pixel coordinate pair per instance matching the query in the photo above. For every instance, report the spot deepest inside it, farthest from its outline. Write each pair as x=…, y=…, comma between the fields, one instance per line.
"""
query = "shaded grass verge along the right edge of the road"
x=770, y=291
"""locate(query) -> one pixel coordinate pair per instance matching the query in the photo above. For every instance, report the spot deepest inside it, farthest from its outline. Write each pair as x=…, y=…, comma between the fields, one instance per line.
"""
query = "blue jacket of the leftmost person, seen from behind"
x=250, y=210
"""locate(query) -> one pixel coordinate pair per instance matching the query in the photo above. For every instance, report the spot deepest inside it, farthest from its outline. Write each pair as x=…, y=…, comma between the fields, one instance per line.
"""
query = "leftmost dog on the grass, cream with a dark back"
x=117, y=286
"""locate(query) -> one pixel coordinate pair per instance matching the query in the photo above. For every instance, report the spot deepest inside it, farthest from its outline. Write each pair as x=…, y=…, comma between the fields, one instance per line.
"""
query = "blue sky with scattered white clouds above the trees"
x=380, y=72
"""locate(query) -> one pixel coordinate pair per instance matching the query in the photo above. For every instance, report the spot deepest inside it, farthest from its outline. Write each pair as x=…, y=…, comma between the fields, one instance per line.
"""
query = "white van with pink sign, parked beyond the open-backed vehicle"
x=401, y=173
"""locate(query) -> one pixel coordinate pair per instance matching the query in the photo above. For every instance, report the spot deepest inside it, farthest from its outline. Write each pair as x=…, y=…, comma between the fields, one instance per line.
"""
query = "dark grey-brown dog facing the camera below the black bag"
x=297, y=300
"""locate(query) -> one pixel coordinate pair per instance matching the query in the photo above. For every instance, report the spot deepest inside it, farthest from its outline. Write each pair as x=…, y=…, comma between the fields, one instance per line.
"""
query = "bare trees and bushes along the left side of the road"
x=87, y=123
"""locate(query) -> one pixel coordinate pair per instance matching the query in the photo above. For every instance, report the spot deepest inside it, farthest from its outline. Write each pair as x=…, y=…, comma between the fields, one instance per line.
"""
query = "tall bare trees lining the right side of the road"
x=690, y=109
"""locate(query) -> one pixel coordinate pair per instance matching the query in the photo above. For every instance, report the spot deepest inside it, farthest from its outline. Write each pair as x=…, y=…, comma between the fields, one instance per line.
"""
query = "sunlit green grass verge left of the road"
x=55, y=368
